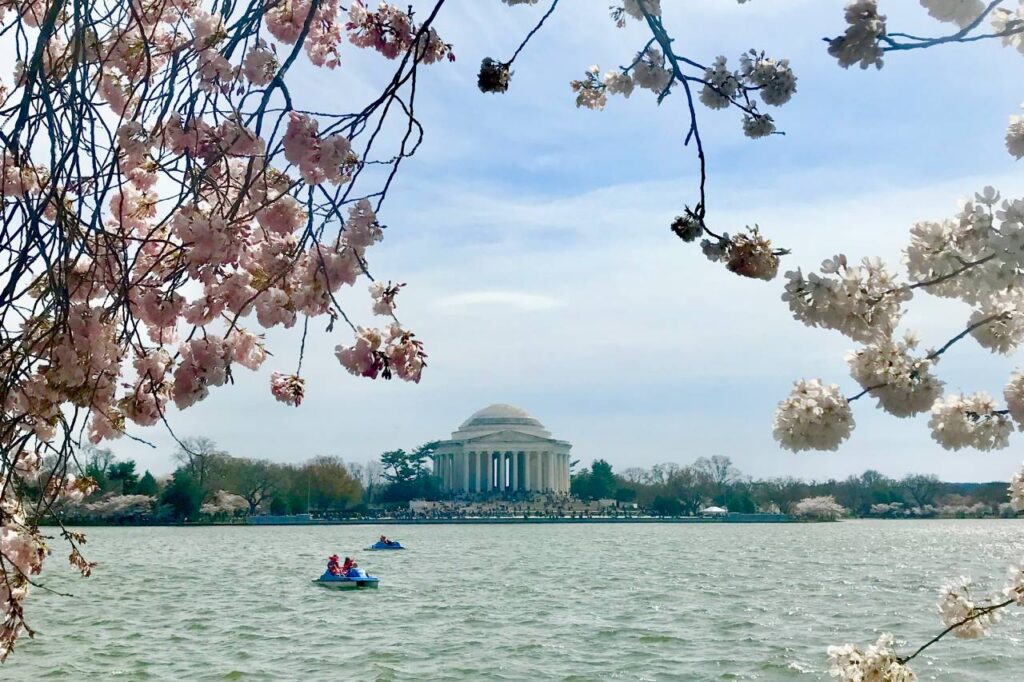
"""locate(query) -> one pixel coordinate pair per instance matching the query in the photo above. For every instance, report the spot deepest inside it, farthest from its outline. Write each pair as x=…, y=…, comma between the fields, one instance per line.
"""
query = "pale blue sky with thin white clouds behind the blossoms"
x=541, y=272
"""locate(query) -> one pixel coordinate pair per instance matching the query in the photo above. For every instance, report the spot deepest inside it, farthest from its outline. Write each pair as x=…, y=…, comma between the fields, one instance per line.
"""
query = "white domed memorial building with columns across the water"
x=502, y=449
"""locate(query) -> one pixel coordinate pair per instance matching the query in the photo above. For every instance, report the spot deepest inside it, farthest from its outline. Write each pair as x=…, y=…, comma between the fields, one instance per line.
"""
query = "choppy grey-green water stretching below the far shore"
x=517, y=603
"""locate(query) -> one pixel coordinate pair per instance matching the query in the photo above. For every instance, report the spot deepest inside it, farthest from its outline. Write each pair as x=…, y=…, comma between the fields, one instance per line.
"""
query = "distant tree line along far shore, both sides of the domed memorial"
x=208, y=484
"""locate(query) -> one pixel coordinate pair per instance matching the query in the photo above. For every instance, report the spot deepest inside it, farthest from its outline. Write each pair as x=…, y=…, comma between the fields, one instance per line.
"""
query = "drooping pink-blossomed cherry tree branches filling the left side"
x=165, y=197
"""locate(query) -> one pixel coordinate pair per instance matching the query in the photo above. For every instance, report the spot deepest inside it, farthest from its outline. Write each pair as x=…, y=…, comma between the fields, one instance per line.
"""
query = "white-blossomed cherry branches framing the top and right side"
x=977, y=258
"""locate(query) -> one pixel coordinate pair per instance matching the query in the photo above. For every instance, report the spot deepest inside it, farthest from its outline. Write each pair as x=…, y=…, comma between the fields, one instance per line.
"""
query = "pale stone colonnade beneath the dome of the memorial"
x=503, y=472
